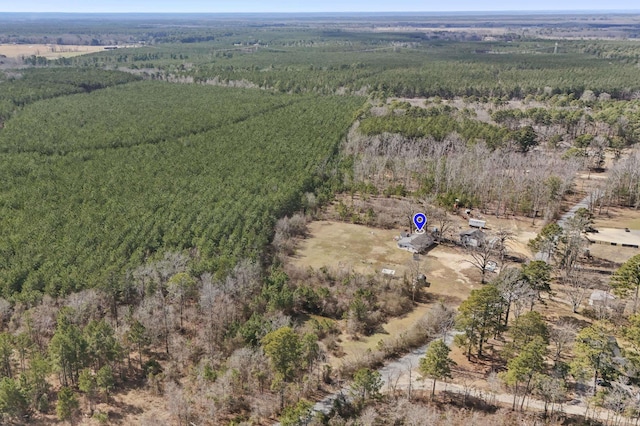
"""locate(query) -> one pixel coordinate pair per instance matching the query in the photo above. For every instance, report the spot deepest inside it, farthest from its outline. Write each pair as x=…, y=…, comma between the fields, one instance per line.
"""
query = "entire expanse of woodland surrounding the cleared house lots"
x=152, y=200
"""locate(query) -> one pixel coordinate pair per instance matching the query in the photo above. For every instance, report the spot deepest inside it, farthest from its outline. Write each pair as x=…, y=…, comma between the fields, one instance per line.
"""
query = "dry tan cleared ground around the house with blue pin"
x=368, y=250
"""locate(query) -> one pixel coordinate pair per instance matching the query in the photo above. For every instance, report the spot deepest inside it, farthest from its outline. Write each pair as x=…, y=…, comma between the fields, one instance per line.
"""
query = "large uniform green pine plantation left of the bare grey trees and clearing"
x=215, y=189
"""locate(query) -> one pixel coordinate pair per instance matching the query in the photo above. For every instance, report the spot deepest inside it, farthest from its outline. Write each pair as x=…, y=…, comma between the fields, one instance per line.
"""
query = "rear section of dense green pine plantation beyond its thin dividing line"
x=130, y=115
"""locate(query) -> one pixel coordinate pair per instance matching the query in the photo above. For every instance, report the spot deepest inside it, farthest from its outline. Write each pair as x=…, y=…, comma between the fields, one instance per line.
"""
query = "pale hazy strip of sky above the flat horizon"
x=225, y=6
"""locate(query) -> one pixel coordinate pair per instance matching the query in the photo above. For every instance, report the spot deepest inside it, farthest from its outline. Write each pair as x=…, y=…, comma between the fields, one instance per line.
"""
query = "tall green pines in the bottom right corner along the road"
x=596, y=359
